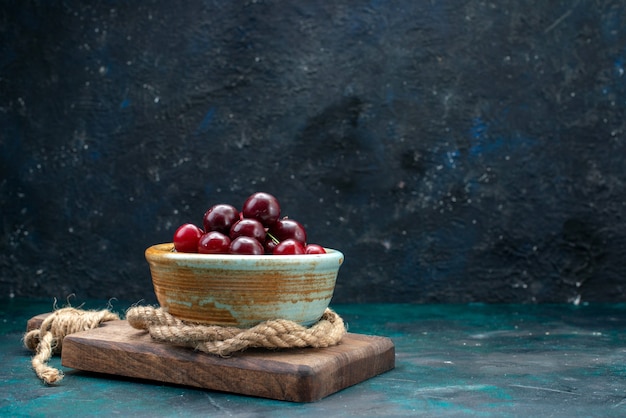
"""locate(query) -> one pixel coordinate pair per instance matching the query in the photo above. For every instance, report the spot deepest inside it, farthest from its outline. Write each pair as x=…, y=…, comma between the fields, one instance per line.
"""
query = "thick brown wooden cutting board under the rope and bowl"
x=297, y=375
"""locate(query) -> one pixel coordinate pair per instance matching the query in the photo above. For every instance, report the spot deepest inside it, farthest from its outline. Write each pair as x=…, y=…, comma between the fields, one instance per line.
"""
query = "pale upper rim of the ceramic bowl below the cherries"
x=165, y=250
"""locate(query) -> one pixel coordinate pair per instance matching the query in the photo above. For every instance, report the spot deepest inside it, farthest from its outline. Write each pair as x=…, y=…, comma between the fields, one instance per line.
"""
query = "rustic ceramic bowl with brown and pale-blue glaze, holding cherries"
x=243, y=290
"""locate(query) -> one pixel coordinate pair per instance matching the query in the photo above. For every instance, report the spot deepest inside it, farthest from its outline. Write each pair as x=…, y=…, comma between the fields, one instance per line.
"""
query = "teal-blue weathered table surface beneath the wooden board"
x=451, y=360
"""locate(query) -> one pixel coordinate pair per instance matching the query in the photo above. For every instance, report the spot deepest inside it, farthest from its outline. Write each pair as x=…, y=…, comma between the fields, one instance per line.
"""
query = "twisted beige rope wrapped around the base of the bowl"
x=224, y=341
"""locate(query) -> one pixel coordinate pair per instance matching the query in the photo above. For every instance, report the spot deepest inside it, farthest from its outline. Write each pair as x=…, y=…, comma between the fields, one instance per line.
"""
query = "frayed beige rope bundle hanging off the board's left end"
x=48, y=339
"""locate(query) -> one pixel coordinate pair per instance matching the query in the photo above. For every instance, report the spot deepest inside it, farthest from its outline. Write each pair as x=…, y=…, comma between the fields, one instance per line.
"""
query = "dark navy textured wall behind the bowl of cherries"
x=454, y=150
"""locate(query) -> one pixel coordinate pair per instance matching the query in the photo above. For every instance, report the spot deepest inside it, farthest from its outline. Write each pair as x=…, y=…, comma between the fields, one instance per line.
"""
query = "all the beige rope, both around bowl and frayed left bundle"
x=162, y=326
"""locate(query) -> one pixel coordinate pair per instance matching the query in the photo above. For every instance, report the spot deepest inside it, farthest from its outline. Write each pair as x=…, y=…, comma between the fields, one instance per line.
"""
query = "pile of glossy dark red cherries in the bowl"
x=256, y=229
